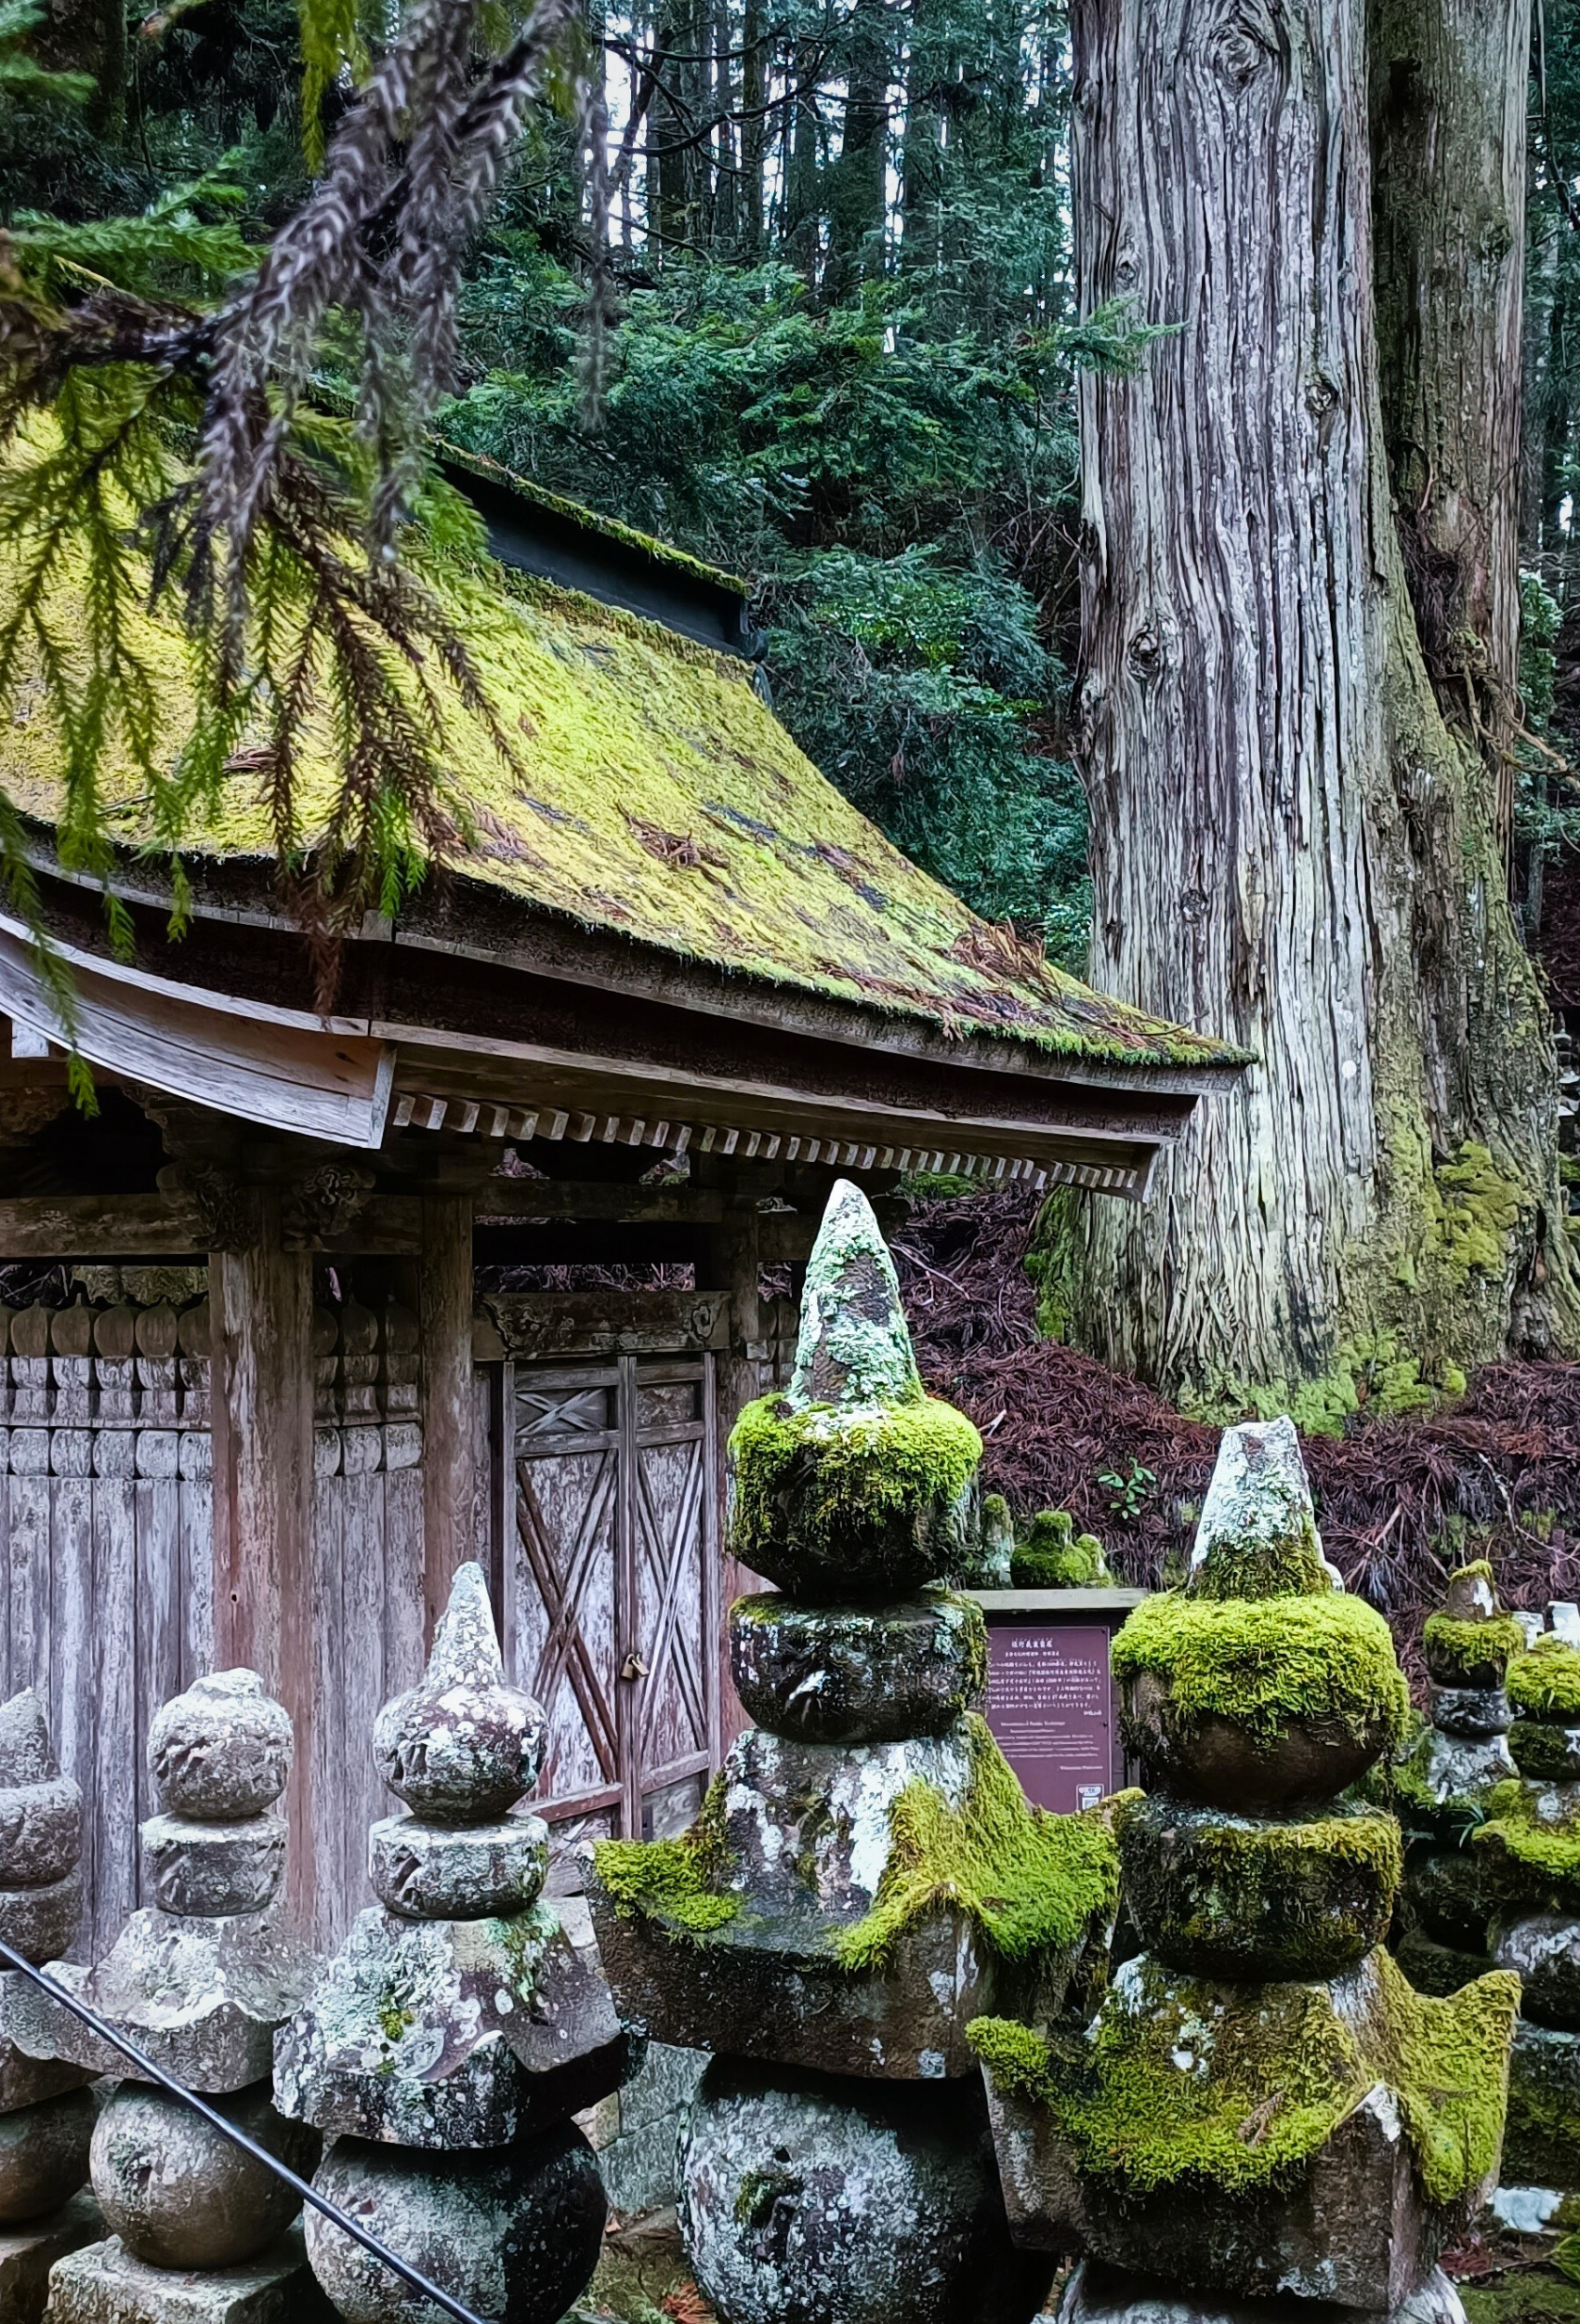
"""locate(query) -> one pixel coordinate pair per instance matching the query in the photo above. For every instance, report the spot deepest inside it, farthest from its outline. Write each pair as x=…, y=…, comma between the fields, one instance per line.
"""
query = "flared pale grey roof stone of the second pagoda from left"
x=199, y=1997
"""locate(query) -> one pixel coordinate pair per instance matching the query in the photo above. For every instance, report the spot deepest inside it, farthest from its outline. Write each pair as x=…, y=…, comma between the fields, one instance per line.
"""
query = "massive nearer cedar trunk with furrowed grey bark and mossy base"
x=1286, y=838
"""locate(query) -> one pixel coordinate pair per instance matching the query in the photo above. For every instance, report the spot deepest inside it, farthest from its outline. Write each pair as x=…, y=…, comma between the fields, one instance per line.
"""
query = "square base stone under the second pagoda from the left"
x=106, y=2286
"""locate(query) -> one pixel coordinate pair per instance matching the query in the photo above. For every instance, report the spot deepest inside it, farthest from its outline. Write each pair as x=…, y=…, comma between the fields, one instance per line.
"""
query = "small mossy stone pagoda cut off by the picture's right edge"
x=1530, y=1851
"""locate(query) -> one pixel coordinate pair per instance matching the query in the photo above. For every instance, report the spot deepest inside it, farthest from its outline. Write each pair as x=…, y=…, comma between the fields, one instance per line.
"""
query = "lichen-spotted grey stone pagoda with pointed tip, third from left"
x=464, y=2023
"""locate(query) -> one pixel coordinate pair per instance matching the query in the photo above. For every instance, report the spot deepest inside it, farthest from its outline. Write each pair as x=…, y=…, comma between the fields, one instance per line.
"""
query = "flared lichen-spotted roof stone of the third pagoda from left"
x=457, y=2032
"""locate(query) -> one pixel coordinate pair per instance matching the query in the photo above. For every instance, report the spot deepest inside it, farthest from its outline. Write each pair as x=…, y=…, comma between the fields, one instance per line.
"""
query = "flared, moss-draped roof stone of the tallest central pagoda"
x=798, y=1842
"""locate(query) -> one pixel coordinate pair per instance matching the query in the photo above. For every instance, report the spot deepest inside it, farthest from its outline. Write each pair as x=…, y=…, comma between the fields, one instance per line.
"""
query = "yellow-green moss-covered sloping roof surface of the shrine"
x=656, y=796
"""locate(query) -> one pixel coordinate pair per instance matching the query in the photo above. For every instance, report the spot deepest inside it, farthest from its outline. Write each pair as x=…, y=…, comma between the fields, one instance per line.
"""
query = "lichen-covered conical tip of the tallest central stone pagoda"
x=856, y=1344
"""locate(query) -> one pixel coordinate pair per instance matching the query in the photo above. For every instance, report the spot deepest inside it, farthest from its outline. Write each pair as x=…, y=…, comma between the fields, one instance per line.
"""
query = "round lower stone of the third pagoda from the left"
x=510, y=2232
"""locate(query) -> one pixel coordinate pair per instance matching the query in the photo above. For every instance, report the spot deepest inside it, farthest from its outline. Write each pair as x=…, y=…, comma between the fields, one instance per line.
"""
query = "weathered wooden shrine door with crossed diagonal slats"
x=612, y=1588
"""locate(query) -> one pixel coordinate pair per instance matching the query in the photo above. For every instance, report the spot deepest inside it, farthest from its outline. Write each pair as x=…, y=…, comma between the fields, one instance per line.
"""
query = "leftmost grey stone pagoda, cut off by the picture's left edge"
x=45, y=2107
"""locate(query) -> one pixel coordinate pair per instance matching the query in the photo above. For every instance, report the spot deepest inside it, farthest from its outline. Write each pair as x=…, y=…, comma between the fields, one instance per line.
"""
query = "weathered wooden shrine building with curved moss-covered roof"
x=271, y=1370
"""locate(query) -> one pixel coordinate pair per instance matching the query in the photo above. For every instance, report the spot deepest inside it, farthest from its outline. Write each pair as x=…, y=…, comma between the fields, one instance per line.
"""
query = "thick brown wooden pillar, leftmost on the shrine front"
x=261, y=1319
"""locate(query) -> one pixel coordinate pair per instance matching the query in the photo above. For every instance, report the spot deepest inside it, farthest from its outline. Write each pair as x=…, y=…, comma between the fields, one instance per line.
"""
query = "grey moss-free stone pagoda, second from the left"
x=199, y=1981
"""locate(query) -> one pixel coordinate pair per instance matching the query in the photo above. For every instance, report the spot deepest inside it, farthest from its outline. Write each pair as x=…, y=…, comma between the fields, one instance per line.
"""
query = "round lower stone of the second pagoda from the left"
x=178, y=2193
